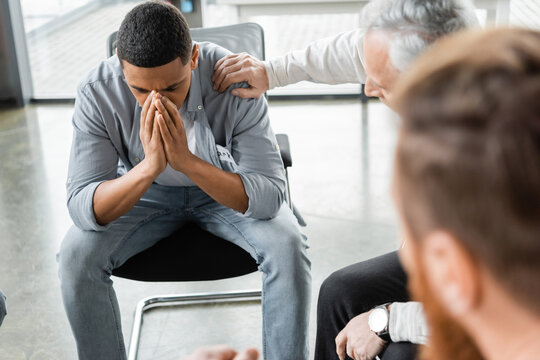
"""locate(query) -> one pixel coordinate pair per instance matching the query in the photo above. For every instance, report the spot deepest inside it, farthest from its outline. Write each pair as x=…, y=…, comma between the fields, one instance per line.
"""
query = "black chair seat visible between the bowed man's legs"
x=190, y=254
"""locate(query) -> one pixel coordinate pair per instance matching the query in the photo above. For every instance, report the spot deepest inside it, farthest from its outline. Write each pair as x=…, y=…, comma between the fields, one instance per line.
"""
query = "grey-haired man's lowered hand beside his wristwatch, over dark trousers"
x=358, y=341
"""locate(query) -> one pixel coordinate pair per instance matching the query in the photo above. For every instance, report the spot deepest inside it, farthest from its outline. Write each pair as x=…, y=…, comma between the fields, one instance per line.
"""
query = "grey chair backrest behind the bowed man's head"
x=246, y=37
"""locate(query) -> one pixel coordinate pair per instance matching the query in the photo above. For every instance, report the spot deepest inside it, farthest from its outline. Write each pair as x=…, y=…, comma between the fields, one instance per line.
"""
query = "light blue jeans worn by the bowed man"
x=87, y=258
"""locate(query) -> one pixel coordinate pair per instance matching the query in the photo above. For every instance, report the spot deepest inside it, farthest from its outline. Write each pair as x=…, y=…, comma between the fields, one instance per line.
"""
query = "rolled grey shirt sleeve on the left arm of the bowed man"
x=93, y=160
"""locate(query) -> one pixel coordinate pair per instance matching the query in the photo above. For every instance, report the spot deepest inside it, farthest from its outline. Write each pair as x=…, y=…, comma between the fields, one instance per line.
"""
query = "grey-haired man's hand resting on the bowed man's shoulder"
x=235, y=68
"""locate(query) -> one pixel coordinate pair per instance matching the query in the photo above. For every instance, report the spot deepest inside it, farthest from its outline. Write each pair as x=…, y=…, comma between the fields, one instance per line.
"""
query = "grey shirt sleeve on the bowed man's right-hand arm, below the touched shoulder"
x=255, y=150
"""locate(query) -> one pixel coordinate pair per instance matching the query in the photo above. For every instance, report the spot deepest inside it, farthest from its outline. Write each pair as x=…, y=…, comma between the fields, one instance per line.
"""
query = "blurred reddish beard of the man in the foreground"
x=447, y=339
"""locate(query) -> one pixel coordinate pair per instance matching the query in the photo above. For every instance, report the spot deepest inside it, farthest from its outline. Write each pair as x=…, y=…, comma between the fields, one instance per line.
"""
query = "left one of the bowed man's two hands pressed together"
x=154, y=154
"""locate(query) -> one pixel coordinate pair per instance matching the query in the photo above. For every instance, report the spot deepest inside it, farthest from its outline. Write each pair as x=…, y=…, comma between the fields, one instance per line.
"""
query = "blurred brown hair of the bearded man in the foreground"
x=468, y=159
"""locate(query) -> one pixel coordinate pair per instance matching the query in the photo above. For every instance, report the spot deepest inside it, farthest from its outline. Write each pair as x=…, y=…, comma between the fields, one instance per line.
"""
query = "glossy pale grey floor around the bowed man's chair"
x=340, y=182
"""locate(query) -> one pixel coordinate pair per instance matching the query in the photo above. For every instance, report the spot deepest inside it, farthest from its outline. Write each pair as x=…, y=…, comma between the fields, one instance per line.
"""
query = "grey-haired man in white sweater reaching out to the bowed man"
x=393, y=34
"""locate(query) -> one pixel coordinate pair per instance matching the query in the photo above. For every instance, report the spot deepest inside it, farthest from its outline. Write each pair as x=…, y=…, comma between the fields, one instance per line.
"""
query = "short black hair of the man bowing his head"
x=153, y=34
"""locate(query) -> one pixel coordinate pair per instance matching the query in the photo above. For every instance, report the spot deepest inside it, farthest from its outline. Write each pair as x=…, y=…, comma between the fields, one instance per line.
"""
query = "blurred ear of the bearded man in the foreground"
x=451, y=271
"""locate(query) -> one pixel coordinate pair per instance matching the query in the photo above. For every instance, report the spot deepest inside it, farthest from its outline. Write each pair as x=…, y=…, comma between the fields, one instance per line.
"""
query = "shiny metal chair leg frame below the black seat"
x=183, y=300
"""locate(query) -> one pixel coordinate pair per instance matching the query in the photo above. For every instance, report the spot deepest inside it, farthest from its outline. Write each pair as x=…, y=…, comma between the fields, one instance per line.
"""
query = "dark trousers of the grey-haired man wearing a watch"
x=354, y=290
